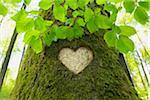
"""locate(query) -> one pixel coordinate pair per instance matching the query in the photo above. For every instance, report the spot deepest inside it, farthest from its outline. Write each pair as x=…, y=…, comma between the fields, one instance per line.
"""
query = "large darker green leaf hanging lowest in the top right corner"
x=140, y=15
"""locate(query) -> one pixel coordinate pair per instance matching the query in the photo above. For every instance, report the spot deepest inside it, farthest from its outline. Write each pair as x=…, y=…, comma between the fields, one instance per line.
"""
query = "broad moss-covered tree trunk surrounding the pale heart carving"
x=43, y=76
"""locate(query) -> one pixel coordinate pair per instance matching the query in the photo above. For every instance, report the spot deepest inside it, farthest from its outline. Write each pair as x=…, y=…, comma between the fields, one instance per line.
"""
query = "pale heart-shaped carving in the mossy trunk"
x=76, y=61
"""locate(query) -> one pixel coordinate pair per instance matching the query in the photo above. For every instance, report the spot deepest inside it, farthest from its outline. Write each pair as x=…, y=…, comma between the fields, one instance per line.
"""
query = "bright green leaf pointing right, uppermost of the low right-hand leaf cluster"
x=127, y=30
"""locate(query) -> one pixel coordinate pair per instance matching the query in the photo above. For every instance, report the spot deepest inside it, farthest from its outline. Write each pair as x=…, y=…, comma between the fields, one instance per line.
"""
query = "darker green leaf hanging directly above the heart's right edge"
x=91, y=26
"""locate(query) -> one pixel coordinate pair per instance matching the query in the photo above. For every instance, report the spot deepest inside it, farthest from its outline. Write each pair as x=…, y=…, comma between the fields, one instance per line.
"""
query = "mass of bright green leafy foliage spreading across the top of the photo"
x=72, y=19
